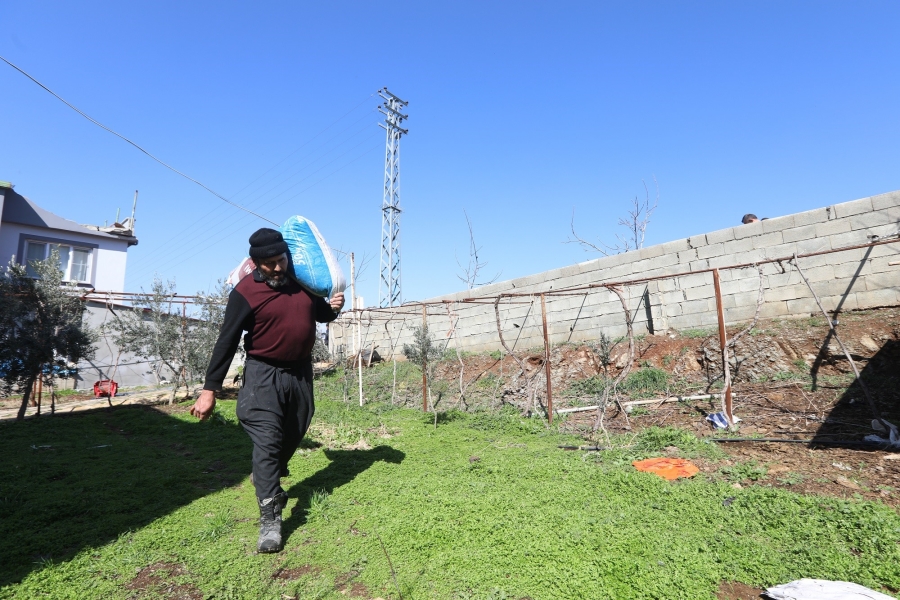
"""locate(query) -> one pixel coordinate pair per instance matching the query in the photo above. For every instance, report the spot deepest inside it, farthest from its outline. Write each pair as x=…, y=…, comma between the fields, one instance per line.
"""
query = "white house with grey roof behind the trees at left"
x=93, y=257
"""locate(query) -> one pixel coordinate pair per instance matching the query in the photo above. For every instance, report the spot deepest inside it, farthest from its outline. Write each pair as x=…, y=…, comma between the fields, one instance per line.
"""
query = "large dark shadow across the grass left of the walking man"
x=80, y=480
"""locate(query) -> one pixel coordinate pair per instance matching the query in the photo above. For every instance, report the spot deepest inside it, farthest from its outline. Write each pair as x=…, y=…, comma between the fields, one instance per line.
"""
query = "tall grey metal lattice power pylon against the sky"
x=390, y=290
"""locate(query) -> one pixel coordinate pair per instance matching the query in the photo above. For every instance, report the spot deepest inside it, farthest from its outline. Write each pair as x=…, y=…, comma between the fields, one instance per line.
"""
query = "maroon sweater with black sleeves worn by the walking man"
x=280, y=325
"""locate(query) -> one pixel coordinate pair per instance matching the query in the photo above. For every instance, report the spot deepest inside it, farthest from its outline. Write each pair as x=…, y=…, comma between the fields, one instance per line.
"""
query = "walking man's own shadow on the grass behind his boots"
x=344, y=467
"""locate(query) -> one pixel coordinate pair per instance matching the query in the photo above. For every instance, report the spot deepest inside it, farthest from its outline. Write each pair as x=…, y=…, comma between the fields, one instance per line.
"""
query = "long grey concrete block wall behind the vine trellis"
x=844, y=280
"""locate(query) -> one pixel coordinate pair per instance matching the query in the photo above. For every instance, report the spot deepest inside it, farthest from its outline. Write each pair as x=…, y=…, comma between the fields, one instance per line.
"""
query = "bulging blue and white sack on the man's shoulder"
x=315, y=266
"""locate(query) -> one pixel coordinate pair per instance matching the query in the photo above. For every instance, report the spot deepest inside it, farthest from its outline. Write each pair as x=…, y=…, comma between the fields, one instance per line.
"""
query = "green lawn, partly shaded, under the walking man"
x=137, y=503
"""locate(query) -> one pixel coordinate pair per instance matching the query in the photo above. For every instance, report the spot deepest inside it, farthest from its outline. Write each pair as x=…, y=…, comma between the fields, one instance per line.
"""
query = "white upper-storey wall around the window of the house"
x=108, y=261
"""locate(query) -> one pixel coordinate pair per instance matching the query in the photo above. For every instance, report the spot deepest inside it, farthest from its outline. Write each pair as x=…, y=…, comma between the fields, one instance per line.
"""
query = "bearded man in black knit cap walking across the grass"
x=275, y=402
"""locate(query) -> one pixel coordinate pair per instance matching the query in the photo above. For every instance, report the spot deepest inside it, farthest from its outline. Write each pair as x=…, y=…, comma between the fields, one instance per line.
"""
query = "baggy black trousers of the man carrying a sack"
x=275, y=407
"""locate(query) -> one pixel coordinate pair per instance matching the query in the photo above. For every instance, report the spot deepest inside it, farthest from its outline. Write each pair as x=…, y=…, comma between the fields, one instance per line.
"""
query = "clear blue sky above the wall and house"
x=520, y=113
